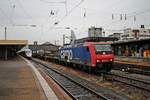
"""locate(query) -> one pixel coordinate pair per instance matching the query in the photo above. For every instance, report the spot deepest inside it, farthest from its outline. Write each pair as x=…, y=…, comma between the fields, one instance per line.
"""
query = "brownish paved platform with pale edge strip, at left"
x=18, y=81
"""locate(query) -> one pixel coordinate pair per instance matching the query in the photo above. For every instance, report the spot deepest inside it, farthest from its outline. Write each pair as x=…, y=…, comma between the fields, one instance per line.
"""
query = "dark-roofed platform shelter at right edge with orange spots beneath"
x=132, y=48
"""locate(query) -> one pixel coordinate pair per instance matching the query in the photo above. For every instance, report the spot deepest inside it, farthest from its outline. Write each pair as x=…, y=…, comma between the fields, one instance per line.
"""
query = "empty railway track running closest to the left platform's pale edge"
x=75, y=89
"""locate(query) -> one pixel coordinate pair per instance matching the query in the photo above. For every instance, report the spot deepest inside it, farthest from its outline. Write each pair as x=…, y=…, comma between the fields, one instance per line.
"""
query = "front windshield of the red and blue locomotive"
x=100, y=48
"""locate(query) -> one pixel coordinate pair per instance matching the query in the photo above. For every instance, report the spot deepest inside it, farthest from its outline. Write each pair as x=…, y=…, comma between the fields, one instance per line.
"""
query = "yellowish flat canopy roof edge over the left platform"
x=13, y=42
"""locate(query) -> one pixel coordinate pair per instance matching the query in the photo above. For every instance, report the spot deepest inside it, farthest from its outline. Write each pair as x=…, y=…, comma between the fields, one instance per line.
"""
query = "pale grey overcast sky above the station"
x=19, y=15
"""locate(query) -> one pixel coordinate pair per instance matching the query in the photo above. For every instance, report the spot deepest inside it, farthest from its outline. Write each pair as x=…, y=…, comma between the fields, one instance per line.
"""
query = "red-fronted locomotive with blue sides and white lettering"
x=91, y=55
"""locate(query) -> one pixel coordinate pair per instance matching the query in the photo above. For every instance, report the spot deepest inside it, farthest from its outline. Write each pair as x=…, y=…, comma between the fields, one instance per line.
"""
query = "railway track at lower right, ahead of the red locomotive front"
x=126, y=79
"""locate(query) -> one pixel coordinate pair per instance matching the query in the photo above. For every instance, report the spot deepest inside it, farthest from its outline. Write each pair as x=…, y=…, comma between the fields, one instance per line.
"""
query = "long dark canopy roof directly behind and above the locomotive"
x=95, y=39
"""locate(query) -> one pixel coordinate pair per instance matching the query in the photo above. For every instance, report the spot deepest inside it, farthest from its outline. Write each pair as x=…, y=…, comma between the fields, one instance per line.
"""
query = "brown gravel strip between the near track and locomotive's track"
x=122, y=89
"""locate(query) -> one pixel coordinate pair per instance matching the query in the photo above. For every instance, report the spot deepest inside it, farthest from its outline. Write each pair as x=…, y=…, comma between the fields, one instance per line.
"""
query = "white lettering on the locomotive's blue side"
x=66, y=54
